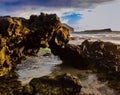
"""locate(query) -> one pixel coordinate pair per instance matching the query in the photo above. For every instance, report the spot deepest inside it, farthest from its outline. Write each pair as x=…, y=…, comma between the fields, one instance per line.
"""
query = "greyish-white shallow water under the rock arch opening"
x=37, y=66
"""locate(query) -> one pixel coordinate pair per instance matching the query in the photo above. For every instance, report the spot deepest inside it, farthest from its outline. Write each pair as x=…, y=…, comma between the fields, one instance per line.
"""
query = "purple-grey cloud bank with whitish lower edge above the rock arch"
x=26, y=7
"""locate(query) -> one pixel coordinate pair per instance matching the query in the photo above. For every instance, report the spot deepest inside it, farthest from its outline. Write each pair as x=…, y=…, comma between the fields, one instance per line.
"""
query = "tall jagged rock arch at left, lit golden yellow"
x=20, y=37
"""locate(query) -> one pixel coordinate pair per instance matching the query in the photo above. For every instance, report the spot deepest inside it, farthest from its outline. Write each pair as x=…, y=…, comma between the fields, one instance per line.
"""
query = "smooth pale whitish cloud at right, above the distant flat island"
x=105, y=16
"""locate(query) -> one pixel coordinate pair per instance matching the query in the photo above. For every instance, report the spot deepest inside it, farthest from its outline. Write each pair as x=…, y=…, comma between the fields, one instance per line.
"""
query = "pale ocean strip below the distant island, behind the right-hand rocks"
x=79, y=37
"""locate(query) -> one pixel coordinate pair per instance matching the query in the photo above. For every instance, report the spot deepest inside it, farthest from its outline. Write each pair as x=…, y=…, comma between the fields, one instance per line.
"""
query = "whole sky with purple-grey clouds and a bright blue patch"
x=80, y=14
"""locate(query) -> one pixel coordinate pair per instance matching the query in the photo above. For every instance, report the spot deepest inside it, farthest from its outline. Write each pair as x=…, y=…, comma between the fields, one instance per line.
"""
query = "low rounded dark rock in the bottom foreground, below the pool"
x=65, y=84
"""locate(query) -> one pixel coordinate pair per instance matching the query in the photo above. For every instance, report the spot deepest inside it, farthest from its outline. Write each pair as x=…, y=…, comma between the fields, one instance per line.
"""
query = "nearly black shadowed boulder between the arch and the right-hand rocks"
x=70, y=54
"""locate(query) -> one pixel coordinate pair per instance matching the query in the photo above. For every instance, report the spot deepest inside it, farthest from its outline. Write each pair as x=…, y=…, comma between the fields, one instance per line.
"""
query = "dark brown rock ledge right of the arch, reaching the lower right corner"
x=103, y=58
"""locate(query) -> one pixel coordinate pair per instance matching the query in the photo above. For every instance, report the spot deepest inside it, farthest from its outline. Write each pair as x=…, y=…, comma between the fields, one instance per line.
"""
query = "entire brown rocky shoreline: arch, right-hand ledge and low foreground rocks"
x=21, y=37
